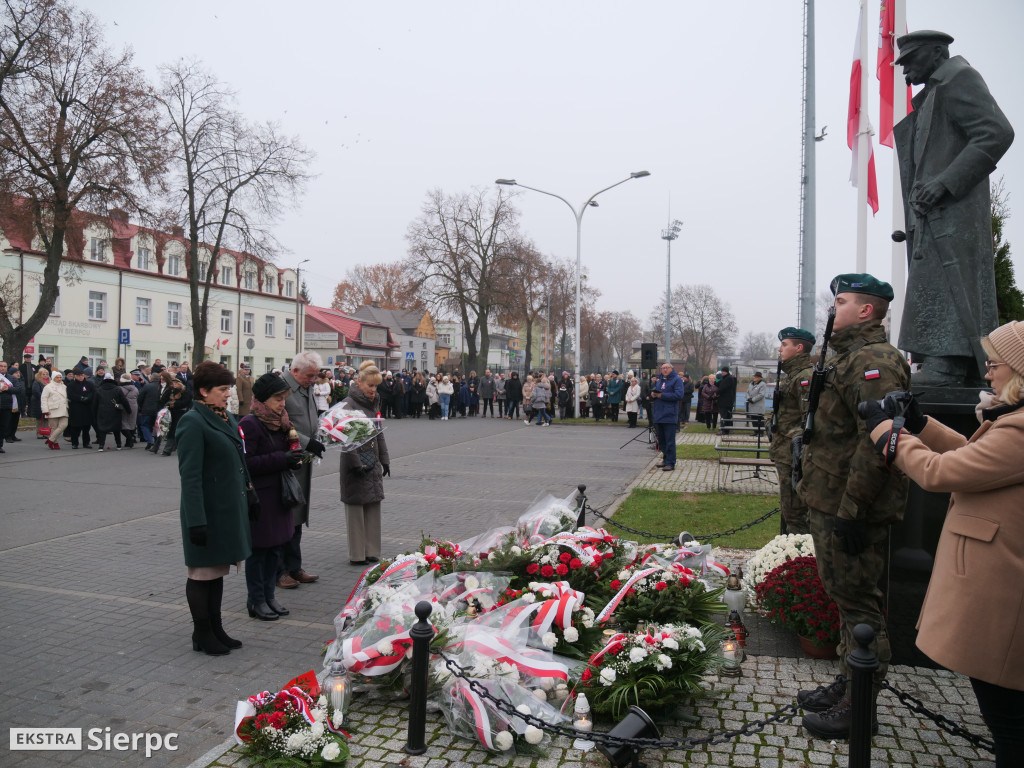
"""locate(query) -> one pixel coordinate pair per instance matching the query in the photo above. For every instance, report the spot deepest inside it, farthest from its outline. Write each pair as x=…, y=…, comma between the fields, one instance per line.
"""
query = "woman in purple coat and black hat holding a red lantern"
x=269, y=455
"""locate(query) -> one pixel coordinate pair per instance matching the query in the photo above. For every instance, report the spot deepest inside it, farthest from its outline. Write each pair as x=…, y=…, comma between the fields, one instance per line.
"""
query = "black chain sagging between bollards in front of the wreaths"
x=785, y=715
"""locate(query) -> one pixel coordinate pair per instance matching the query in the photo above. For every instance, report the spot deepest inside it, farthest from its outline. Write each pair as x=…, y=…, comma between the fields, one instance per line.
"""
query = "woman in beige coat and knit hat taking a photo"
x=973, y=618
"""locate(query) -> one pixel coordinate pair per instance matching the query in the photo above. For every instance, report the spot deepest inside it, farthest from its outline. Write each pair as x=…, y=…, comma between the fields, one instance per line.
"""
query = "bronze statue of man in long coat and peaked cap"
x=948, y=148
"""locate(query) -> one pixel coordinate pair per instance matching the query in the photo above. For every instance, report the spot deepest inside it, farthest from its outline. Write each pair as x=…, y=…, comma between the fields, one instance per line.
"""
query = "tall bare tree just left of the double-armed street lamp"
x=459, y=249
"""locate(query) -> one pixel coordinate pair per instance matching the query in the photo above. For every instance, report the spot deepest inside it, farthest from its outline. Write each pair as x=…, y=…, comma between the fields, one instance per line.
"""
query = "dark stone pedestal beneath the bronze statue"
x=913, y=543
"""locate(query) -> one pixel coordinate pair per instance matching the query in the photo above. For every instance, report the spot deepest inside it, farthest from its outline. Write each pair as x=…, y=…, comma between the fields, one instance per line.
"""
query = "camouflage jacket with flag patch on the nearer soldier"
x=843, y=475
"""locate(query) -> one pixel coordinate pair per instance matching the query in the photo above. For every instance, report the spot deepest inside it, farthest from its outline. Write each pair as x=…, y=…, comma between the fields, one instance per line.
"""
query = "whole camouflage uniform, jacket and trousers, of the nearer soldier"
x=844, y=478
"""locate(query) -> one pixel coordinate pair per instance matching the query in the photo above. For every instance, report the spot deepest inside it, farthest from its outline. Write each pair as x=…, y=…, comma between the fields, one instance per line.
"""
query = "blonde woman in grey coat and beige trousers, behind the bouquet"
x=363, y=474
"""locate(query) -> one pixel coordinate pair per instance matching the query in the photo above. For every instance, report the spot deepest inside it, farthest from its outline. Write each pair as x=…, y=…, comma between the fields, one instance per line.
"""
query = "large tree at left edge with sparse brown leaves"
x=80, y=133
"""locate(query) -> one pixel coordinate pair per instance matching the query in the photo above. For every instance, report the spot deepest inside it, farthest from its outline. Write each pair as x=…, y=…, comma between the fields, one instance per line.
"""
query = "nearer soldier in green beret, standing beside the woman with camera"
x=852, y=498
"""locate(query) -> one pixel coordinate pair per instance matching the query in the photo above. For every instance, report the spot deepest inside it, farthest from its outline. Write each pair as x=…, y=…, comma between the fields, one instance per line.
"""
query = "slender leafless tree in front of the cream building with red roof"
x=235, y=180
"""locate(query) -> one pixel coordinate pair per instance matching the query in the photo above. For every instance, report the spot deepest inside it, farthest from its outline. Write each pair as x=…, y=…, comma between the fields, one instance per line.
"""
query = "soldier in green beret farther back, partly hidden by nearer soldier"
x=790, y=406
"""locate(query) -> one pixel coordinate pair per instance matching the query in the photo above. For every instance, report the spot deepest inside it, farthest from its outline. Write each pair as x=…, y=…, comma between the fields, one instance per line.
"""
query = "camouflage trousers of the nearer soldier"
x=852, y=582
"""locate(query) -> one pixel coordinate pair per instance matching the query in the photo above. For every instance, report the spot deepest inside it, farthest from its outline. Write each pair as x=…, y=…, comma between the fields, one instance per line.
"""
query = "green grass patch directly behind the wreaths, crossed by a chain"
x=669, y=513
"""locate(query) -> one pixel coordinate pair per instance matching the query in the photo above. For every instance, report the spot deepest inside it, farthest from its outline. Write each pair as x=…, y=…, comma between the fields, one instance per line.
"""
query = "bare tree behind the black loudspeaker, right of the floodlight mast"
x=703, y=324
